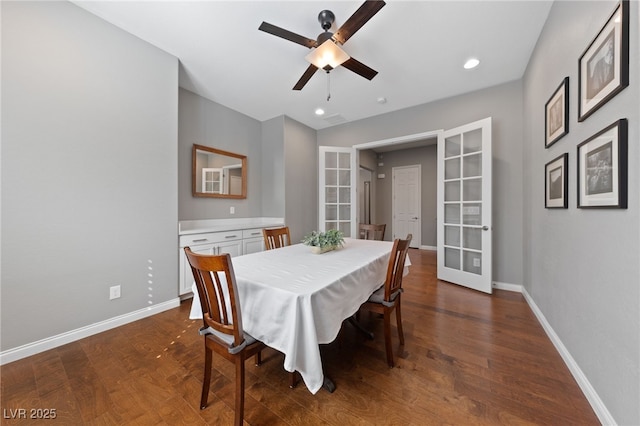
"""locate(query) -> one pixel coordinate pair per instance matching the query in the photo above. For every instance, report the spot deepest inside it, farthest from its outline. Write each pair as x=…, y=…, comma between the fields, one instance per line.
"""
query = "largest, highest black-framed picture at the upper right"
x=603, y=69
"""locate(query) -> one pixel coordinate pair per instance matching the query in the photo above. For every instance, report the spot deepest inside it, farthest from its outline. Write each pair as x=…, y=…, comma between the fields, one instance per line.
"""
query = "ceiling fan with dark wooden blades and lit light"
x=327, y=53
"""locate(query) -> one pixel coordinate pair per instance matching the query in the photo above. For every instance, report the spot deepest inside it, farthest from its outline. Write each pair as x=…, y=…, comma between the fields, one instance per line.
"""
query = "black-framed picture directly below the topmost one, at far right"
x=602, y=168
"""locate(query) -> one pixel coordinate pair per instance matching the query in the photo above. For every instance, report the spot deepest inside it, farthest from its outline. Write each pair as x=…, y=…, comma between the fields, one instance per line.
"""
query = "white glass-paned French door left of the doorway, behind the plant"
x=336, y=180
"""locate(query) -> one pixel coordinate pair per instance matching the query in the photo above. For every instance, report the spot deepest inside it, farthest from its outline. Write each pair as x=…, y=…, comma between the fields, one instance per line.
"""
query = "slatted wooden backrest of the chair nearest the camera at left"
x=217, y=290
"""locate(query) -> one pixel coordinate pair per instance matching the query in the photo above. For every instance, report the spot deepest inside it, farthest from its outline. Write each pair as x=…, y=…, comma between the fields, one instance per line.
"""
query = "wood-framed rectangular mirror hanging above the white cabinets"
x=218, y=174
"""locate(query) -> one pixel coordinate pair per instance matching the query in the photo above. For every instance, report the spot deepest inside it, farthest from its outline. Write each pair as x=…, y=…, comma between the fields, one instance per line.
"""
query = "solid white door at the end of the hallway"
x=406, y=205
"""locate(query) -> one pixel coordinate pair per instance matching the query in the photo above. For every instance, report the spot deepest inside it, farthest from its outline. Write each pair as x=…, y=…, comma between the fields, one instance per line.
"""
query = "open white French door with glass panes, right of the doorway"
x=464, y=205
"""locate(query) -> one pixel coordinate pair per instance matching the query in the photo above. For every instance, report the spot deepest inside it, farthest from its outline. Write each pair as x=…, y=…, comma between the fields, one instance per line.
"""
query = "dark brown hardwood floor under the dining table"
x=469, y=359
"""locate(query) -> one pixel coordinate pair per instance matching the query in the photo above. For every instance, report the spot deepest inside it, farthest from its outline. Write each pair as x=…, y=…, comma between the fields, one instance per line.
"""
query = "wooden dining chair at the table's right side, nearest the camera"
x=387, y=298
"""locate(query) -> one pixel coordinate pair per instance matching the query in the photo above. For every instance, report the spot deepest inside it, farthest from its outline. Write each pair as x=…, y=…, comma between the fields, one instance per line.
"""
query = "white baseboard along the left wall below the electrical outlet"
x=29, y=349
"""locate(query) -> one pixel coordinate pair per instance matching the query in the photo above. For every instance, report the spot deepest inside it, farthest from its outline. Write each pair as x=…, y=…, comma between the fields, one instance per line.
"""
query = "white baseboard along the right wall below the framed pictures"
x=589, y=392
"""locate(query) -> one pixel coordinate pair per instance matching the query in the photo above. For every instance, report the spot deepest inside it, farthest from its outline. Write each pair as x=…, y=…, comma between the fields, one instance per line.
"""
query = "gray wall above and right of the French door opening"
x=504, y=104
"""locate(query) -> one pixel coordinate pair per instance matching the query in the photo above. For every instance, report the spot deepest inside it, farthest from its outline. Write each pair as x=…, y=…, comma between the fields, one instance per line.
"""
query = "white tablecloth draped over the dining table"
x=294, y=300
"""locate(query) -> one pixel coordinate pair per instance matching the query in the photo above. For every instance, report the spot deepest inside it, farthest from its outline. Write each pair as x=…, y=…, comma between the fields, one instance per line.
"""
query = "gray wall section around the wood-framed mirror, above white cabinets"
x=205, y=122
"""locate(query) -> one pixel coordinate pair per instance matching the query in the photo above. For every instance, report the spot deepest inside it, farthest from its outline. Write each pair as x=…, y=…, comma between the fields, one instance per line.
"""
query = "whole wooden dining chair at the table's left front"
x=222, y=328
